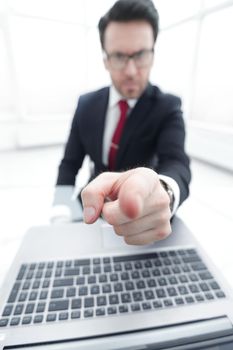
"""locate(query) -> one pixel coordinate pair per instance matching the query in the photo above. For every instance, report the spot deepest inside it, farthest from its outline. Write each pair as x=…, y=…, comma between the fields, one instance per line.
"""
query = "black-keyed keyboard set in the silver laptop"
x=58, y=291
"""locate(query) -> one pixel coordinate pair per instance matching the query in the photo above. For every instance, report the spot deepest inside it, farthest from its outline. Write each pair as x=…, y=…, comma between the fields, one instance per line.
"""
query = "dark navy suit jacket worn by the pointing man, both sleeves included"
x=153, y=137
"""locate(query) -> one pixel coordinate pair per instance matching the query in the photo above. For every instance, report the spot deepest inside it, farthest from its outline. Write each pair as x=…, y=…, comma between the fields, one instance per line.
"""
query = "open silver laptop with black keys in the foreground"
x=78, y=286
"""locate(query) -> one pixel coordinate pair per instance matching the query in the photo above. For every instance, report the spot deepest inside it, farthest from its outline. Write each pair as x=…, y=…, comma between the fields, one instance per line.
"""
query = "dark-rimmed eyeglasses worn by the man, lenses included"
x=119, y=60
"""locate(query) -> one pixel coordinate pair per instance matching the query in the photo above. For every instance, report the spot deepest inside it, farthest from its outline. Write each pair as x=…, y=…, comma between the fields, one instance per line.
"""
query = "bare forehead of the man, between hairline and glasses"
x=128, y=37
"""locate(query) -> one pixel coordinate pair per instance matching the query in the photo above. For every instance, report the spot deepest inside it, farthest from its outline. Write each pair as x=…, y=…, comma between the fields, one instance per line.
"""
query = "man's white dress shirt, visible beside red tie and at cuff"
x=112, y=118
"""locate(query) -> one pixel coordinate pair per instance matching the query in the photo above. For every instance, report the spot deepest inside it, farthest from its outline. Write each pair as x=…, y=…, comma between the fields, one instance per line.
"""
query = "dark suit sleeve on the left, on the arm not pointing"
x=73, y=155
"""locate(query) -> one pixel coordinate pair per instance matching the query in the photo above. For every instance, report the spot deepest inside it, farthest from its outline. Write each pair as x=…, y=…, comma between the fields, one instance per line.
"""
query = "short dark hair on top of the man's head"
x=130, y=10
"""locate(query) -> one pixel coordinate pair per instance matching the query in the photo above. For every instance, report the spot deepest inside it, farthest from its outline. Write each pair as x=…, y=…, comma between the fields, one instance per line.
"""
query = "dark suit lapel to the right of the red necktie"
x=134, y=121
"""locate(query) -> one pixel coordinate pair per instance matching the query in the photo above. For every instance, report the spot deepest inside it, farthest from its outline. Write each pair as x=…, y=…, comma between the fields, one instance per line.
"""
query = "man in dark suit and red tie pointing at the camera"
x=132, y=131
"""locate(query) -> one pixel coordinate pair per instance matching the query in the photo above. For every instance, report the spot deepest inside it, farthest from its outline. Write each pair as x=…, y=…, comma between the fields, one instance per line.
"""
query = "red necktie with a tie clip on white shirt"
x=123, y=105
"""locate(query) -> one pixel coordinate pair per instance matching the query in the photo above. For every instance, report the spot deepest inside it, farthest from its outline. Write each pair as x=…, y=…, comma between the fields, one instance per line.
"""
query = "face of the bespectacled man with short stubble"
x=128, y=38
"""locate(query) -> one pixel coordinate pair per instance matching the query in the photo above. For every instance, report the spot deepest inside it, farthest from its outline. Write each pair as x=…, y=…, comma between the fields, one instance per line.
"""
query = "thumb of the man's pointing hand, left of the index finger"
x=94, y=195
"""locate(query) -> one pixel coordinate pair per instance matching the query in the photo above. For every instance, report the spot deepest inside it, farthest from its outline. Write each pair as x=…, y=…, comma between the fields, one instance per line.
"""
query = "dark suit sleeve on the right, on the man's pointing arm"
x=173, y=161
